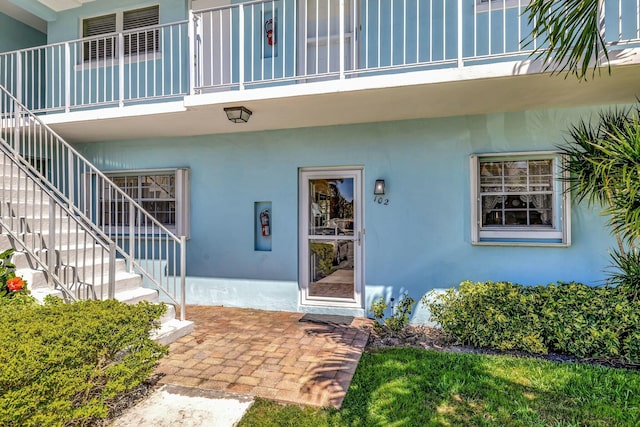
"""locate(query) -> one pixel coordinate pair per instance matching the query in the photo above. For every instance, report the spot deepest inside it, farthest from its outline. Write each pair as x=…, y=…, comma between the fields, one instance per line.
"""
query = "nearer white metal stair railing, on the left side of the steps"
x=39, y=225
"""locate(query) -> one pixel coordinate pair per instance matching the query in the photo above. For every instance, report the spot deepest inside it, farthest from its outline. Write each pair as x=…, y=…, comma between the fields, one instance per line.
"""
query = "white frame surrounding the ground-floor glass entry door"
x=304, y=175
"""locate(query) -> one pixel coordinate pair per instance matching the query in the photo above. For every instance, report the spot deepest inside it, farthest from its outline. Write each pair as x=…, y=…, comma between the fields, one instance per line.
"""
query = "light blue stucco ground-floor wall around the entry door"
x=419, y=242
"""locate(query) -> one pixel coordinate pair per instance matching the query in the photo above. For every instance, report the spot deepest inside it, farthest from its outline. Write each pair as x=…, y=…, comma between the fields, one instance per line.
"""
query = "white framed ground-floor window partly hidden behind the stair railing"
x=164, y=193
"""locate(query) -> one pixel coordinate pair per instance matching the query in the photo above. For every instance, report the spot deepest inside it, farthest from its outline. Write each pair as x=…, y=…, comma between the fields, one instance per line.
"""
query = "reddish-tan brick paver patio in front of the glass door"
x=267, y=354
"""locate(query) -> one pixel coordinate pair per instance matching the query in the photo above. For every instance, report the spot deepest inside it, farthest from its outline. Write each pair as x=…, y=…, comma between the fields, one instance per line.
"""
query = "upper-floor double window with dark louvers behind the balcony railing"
x=135, y=42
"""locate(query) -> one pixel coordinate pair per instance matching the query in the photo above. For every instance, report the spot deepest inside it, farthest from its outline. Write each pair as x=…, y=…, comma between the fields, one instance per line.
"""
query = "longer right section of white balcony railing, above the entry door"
x=337, y=39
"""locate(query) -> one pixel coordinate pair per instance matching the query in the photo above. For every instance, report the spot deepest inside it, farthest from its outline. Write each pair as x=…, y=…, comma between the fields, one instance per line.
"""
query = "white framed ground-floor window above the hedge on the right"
x=519, y=199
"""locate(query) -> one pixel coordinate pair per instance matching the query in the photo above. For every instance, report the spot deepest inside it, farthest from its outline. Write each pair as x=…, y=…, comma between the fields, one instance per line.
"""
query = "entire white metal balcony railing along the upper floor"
x=281, y=42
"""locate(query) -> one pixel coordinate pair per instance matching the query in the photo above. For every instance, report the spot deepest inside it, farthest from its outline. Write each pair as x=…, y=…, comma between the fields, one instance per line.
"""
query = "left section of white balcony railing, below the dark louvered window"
x=112, y=69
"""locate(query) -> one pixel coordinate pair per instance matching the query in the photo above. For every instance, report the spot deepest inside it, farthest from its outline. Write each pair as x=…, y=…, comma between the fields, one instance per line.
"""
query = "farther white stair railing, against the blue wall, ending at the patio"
x=148, y=247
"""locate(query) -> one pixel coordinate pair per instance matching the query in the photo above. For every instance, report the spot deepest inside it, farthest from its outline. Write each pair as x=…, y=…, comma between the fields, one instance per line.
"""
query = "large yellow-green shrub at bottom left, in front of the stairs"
x=63, y=363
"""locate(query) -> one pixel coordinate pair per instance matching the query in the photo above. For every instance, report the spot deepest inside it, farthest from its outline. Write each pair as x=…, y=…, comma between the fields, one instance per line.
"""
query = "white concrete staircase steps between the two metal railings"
x=80, y=261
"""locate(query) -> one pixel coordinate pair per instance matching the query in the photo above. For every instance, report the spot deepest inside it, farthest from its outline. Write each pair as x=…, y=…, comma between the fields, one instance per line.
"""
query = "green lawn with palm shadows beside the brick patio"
x=412, y=387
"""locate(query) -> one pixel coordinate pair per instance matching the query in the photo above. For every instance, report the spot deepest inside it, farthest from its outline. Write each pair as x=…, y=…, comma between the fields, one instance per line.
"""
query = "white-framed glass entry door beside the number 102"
x=331, y=238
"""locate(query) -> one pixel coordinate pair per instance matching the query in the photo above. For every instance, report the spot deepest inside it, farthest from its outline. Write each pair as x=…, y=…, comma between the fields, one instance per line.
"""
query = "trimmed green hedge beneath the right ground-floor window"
x=567, y=318
